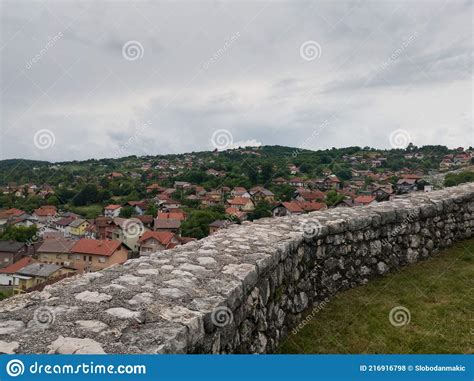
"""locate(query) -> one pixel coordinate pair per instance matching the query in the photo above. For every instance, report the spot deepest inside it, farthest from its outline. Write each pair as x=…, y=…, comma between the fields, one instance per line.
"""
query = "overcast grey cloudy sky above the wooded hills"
x=108, y=78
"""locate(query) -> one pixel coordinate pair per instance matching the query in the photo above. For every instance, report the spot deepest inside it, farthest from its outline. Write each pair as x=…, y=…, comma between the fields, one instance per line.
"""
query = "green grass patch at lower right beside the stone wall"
x=438, y=294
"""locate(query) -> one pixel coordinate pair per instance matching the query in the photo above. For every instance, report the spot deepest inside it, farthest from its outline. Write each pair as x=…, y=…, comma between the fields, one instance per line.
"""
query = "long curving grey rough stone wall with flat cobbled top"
x=241, y=290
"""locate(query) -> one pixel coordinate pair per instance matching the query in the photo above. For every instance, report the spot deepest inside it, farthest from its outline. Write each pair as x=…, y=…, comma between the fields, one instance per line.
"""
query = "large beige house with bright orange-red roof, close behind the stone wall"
x=93, y=255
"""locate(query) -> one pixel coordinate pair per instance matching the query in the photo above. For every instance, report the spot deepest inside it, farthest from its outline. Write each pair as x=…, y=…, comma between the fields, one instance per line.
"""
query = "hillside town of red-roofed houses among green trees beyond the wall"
x=57, y=220
